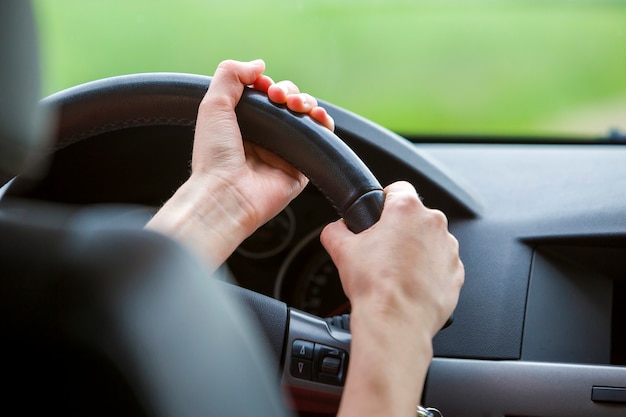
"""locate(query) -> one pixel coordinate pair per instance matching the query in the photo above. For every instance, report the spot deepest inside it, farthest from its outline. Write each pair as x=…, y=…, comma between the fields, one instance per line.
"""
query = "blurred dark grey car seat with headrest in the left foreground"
x=97, y=321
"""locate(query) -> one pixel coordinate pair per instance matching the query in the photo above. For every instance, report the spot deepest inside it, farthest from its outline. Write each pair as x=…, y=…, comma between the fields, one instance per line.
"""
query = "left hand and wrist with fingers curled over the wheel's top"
x=235, y=187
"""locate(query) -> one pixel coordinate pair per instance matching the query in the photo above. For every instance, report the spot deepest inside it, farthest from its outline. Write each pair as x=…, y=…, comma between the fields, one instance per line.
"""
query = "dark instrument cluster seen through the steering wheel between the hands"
x=294, y=267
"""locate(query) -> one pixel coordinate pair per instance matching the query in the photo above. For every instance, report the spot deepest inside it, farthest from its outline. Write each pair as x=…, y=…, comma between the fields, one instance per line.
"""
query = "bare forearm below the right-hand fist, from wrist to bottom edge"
x=388, y=365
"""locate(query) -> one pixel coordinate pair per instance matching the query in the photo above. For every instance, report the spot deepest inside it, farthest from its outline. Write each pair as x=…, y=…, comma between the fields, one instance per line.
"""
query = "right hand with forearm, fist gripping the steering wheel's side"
x=403, y=277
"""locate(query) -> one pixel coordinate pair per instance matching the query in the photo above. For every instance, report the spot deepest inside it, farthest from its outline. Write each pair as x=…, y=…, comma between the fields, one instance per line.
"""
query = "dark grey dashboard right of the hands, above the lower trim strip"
x=562, y=204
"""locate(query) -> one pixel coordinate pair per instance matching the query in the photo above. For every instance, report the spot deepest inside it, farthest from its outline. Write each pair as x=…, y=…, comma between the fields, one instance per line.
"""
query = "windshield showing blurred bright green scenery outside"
x=517, y=68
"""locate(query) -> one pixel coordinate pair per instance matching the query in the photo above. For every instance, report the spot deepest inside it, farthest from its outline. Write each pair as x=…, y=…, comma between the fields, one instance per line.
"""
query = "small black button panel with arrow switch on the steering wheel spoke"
x=317, y=362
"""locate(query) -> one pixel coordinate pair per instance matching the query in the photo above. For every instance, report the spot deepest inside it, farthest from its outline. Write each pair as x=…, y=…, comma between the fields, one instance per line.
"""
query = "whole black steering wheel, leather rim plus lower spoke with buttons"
x=314, y=356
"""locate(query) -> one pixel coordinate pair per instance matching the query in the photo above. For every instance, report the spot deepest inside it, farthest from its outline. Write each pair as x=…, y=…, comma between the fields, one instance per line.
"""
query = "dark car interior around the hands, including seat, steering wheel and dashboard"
x=92, y=305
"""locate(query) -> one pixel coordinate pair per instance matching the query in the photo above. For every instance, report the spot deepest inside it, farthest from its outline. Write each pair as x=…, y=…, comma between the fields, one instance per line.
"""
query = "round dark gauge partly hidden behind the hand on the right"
x=309, y=281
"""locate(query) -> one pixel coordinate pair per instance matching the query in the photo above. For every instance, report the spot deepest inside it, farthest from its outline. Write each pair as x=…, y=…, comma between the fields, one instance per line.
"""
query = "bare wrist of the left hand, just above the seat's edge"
x=208, y=217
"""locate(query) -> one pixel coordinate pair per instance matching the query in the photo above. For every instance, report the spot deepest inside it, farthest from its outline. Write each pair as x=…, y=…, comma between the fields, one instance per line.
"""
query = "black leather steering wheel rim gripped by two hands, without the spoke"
x=172, y=99
